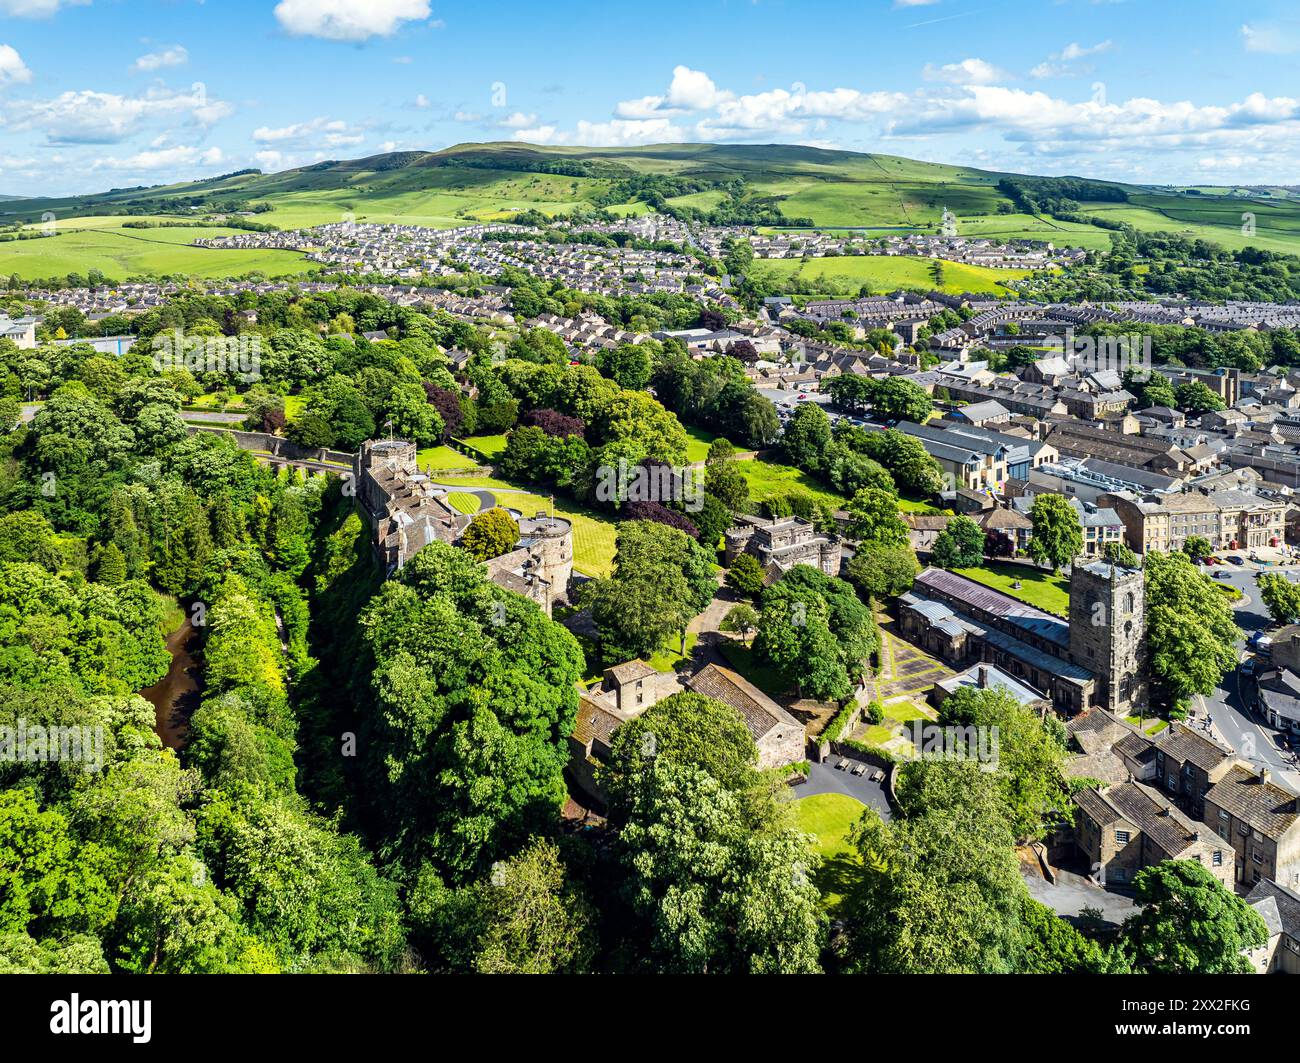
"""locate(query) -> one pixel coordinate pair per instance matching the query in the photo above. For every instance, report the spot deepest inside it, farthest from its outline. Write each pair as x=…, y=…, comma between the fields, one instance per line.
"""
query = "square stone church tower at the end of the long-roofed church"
x=1108, y=627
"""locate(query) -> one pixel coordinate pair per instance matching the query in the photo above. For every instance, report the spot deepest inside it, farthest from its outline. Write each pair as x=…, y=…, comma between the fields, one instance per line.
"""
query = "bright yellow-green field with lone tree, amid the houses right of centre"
x=886, y=274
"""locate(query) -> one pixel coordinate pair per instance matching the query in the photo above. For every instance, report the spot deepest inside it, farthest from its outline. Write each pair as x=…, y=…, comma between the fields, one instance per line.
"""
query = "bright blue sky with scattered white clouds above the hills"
x=114, y=93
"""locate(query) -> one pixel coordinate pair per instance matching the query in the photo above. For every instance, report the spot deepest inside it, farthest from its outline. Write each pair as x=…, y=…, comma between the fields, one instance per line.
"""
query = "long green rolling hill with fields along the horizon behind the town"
x=486, y=183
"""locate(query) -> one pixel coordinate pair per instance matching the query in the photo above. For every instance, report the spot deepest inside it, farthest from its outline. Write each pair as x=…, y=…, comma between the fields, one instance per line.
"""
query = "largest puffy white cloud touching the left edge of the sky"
x=89, y=118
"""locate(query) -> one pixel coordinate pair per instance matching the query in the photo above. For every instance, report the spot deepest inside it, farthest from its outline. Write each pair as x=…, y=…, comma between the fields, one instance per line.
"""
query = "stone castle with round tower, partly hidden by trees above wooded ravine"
x=408, y=511
